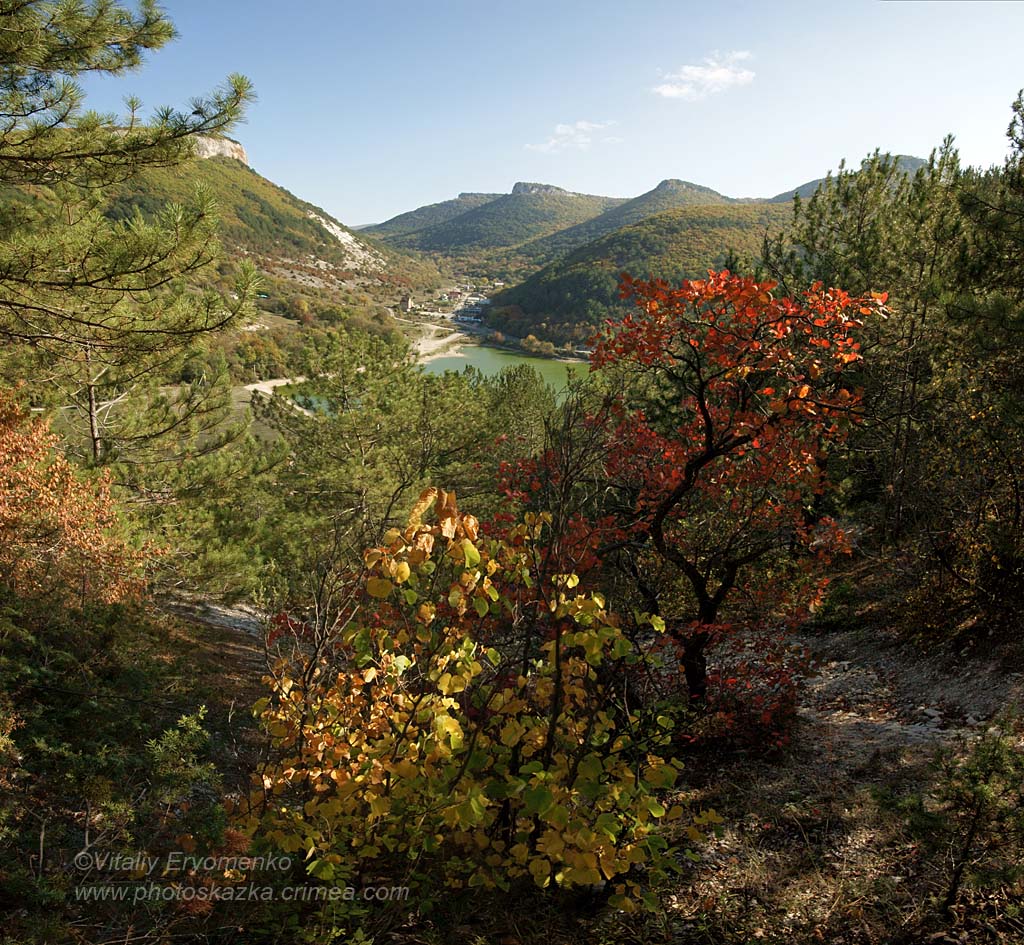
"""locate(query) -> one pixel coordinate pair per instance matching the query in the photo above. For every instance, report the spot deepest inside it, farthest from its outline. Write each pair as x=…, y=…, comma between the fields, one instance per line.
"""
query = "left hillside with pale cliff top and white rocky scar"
x=317, y=277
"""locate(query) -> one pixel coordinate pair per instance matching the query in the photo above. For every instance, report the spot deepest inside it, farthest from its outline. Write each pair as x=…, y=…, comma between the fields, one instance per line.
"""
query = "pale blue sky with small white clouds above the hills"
x=370, y=109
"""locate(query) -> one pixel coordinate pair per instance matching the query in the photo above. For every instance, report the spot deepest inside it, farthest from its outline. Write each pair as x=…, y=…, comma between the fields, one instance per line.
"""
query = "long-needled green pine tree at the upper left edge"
x=102, y=311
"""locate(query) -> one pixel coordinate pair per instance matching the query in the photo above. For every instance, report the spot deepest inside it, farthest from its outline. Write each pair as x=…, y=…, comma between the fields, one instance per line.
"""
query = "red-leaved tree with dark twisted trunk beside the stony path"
x=726, y=403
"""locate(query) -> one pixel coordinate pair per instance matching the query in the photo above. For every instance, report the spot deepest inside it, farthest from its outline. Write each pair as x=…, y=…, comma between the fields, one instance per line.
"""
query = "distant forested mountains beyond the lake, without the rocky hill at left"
x=564, y=252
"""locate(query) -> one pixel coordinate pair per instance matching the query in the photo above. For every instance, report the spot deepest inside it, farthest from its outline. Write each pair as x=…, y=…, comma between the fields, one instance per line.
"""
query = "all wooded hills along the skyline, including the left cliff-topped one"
x=561, y=251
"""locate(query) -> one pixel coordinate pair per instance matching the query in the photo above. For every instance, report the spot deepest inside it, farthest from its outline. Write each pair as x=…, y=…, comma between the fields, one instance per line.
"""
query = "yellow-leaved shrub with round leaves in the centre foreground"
x=481, y=733
